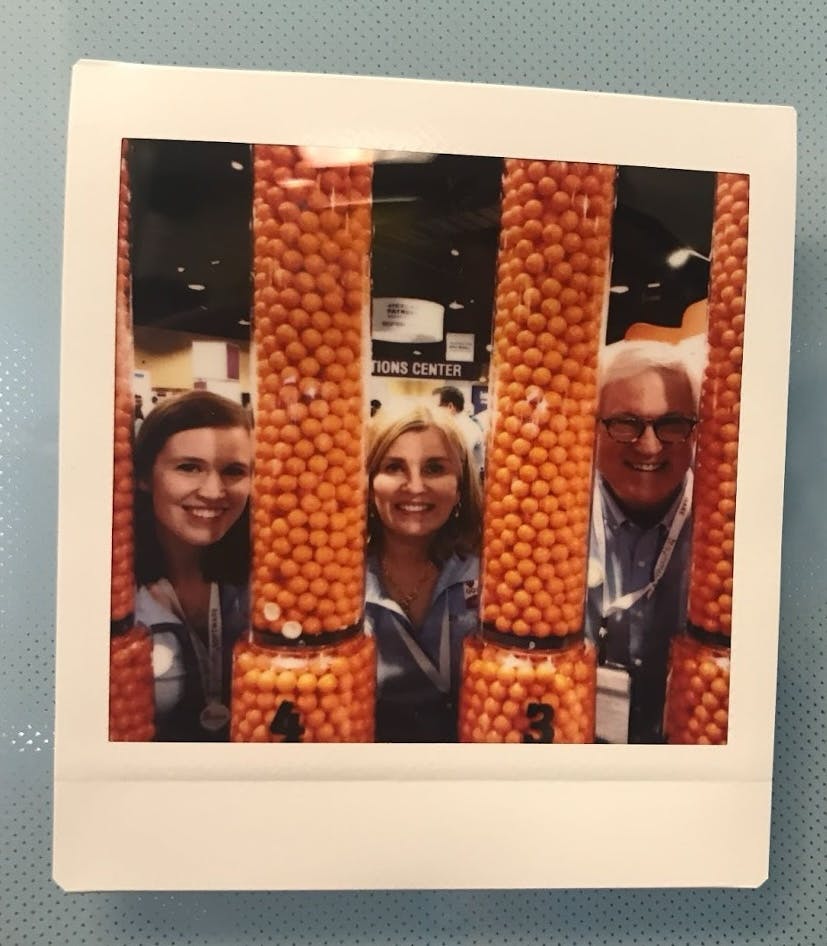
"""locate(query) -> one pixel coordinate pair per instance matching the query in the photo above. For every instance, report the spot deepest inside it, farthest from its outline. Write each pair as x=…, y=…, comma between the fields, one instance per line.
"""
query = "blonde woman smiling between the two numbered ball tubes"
x=425, y=513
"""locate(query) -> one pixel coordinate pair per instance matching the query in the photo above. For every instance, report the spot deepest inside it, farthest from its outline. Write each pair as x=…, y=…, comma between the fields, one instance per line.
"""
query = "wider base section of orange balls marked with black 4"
x=304, y=695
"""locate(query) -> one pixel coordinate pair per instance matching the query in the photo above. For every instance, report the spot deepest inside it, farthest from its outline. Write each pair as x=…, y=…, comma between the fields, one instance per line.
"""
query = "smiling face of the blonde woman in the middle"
x=416, y=485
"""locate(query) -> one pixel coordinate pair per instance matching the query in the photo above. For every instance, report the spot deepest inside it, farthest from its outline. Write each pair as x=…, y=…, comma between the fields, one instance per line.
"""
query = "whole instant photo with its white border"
x=421, y=472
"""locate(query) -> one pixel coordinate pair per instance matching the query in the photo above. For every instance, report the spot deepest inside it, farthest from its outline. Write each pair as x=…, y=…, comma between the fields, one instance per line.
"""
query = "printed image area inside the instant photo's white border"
x=413, y=443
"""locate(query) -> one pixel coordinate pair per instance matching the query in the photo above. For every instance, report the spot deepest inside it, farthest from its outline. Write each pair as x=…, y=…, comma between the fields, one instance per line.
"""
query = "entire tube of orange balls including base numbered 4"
x=307, y=673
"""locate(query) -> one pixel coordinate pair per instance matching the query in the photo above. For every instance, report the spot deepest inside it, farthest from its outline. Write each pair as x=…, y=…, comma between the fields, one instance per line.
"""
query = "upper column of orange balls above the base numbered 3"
x=551, y=285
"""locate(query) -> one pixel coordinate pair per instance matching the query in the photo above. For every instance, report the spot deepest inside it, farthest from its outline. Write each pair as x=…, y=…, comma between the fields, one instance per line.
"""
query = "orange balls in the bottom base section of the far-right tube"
x=697, y=694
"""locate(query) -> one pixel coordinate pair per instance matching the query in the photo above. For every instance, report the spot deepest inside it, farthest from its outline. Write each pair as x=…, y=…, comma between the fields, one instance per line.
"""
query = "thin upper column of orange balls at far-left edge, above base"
x=122, y=577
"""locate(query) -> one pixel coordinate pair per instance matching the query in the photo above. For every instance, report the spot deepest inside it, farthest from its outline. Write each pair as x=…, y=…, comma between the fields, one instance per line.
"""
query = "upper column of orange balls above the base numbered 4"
x=312, y=232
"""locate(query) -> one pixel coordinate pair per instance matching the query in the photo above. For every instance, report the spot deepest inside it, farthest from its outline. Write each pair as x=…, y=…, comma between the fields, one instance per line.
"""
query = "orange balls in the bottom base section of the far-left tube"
x=131, y=687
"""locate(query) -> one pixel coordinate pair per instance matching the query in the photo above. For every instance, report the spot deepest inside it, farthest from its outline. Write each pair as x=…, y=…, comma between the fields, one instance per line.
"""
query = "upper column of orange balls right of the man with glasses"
x=713, y=543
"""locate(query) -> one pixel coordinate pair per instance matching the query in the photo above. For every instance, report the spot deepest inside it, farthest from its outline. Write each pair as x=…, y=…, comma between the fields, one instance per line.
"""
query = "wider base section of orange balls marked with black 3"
x=511, y=695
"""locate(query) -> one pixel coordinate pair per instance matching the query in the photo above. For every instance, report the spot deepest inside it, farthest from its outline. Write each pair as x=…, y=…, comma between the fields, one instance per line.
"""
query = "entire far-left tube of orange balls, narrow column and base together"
x=131, y=694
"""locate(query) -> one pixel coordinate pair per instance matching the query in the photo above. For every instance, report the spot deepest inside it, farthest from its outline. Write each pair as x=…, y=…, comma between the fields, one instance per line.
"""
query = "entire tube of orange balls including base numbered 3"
x=530, y=677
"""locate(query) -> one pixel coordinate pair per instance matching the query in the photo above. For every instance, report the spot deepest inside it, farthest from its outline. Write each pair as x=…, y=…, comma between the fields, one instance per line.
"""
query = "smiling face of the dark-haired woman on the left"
x=200, y=484
